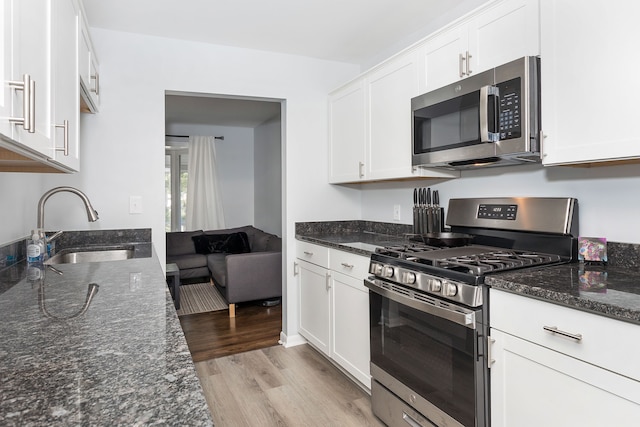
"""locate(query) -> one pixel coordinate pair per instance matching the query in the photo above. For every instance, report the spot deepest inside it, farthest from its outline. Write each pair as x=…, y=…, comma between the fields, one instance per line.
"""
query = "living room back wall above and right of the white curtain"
x=234, y=156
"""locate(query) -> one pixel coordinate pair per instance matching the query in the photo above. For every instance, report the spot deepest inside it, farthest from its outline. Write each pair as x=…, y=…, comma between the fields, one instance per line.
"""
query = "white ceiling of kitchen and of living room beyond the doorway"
x=352, y=31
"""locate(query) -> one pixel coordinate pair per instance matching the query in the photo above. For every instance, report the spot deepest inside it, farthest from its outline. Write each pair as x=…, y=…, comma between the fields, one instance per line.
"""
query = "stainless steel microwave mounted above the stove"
x=490, y=119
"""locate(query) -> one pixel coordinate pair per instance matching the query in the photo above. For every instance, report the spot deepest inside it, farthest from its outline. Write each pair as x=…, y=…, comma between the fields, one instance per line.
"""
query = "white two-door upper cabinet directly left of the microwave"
x=370, y=125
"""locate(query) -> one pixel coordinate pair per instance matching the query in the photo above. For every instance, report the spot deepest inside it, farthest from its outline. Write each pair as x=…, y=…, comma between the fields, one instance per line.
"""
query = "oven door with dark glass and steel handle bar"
x=429, y=354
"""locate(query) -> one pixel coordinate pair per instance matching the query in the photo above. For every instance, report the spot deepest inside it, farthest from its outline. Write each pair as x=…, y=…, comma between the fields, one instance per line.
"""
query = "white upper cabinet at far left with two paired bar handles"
x=26, y=56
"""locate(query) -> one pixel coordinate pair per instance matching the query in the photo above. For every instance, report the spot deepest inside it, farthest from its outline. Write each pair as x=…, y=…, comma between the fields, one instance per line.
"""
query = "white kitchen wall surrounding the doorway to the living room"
x=123, y=150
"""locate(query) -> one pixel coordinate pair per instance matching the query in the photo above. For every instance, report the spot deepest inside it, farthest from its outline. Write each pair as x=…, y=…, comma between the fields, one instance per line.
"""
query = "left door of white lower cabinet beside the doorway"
x=314, y=288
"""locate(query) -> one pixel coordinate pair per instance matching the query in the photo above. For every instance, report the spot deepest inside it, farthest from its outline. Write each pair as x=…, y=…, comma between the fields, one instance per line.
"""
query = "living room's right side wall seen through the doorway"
x=268, y=177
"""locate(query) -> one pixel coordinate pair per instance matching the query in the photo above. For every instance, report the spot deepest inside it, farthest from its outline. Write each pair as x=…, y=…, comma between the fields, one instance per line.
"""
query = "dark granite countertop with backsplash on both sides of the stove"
x=613, y=291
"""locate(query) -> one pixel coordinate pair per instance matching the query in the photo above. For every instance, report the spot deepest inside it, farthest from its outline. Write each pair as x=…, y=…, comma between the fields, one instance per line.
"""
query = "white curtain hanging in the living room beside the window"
x=204, y=203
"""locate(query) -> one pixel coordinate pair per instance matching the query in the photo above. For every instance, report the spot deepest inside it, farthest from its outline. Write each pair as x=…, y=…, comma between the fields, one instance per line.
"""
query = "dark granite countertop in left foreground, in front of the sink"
x=124, y=361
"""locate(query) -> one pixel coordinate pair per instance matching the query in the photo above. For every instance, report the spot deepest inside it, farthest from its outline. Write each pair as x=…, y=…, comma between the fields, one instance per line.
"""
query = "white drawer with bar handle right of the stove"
x=605, y=342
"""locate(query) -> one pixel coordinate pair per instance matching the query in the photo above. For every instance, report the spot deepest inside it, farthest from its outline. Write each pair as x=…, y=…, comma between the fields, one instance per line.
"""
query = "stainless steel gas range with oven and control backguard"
x=429, y=307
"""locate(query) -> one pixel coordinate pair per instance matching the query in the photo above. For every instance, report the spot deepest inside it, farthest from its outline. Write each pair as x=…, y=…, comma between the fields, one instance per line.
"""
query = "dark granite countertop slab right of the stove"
x=613, y=291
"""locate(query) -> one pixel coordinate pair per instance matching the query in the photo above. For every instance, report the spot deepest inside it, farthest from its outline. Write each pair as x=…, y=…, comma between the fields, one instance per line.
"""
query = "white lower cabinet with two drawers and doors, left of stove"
x=334, y=306
